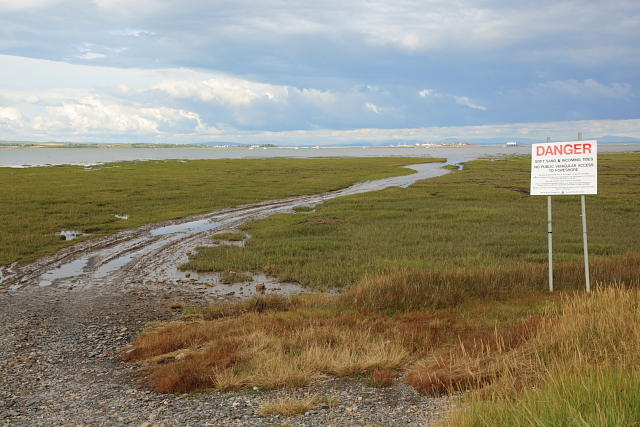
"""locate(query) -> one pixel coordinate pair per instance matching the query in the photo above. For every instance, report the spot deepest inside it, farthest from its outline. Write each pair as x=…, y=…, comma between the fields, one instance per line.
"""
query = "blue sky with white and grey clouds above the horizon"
x=308, y=72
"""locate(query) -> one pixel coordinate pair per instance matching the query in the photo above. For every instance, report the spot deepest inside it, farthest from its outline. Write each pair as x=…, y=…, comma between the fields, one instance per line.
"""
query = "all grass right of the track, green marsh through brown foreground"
x=447, y=280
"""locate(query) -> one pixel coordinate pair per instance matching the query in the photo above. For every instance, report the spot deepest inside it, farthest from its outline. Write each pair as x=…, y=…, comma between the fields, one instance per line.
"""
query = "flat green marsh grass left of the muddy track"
x=36, y=203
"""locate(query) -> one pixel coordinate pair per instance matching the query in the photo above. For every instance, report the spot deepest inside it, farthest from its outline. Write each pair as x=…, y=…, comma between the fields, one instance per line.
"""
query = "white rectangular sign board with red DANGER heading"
x=564, y=168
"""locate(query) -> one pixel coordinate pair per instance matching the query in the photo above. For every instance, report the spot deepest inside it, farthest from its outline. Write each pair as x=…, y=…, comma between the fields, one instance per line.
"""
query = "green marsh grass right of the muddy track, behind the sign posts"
x=478, y=218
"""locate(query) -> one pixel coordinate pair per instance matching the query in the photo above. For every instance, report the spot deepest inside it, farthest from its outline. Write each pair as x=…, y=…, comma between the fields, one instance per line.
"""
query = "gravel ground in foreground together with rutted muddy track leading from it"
x=64, y=318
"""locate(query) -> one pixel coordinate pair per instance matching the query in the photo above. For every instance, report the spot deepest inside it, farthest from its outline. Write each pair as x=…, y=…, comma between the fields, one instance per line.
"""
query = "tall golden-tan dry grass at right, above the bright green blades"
x=584, y=331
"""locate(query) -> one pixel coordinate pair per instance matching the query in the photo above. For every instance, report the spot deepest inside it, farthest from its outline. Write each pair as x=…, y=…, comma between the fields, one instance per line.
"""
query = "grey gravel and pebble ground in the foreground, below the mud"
x=59, y=366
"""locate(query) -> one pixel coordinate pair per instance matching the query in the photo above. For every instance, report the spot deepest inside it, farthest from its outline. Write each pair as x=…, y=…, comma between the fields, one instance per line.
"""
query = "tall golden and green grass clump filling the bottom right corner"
x=581, y=368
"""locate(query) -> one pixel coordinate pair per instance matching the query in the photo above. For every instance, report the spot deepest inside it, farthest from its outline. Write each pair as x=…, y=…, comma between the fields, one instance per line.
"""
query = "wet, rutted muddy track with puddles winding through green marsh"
x=147, y=258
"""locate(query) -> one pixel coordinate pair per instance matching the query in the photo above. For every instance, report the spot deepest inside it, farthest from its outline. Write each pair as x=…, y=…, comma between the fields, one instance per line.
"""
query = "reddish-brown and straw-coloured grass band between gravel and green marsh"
x=447, y=339
